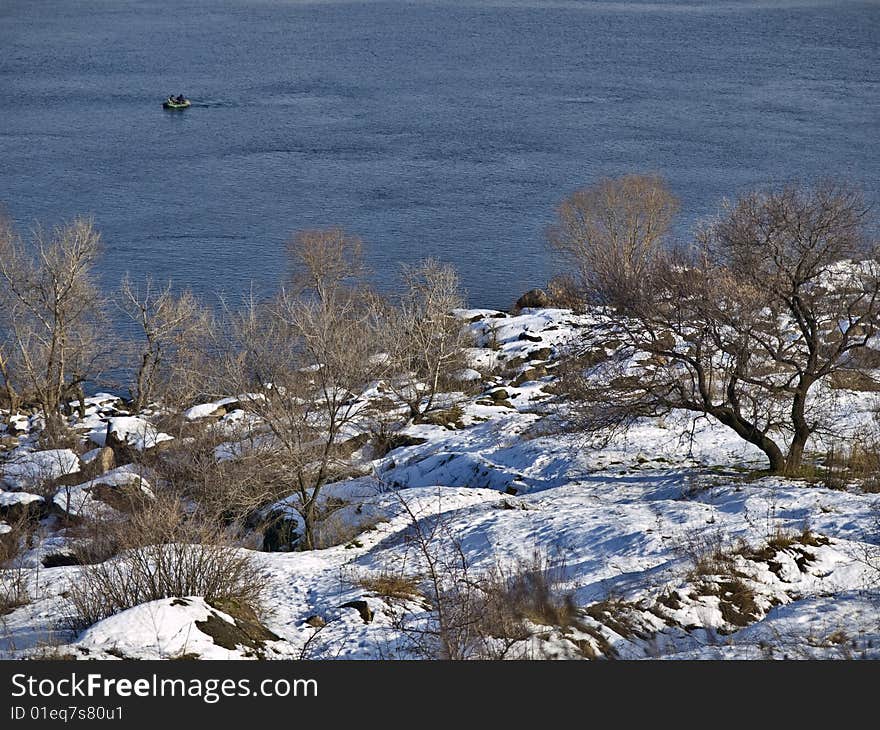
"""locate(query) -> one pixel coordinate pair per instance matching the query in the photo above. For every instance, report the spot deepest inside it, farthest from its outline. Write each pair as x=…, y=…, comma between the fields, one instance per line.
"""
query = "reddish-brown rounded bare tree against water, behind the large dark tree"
x=610, y=232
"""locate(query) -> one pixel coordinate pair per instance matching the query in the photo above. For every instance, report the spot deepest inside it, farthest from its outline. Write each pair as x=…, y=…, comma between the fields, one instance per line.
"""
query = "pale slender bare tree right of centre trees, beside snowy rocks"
x=422, y=336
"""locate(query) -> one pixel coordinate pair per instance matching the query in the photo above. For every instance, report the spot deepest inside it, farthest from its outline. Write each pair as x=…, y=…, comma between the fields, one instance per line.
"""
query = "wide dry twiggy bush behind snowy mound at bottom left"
x=166, y=553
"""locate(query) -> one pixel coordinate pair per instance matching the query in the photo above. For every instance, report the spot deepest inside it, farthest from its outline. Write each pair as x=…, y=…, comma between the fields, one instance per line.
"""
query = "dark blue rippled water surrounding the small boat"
x=430, y=128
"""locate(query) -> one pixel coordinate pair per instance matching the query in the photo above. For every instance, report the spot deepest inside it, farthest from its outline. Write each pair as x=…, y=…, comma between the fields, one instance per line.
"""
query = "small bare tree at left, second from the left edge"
x=167, y=324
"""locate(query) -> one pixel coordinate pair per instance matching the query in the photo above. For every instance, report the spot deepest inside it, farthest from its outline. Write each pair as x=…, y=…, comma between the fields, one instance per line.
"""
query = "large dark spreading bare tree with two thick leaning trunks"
x=780, y=294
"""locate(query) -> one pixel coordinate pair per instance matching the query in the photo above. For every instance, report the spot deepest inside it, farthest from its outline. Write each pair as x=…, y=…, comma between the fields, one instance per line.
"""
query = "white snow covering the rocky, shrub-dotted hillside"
x=668, y=540
